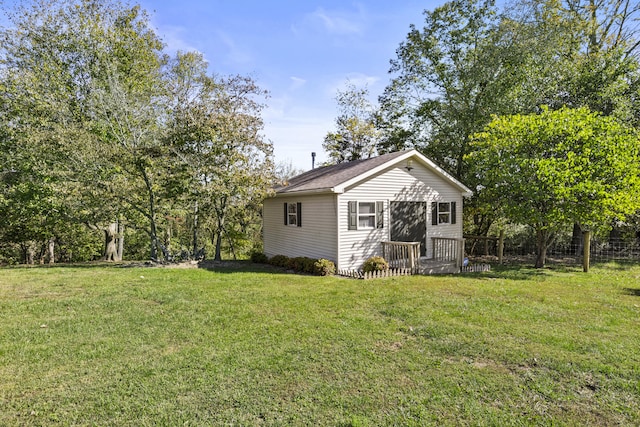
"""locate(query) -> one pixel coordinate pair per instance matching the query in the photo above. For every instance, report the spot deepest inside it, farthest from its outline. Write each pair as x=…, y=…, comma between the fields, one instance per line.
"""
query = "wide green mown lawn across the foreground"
x=154, y=346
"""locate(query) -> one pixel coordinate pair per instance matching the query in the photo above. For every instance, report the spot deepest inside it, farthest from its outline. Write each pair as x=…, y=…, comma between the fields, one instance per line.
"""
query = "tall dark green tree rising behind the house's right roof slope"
x=452, y=75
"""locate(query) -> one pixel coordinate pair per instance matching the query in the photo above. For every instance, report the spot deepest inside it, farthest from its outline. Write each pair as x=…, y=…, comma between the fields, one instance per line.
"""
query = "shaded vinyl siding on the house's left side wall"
x=316, y=238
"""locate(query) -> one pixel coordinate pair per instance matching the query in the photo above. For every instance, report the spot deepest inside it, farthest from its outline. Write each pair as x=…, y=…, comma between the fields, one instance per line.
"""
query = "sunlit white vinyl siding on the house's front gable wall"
x=395, y=184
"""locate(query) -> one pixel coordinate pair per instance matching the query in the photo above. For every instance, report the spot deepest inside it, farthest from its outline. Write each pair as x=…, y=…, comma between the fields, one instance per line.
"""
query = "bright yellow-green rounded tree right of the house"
x=558, y=167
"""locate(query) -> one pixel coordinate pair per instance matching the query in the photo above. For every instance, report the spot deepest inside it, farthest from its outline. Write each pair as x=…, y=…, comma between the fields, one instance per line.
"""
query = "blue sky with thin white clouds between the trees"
x=302, y=52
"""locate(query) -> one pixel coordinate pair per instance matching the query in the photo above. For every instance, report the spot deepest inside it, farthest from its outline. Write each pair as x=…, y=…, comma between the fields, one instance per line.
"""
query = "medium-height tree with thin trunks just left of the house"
x=215, y=132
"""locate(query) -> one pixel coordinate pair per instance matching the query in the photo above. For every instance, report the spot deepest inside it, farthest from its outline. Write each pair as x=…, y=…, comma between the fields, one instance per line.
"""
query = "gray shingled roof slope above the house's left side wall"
x=325, y=178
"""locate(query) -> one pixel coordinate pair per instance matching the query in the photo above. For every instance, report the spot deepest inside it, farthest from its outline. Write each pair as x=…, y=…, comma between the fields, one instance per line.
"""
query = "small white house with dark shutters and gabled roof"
x=348, y=212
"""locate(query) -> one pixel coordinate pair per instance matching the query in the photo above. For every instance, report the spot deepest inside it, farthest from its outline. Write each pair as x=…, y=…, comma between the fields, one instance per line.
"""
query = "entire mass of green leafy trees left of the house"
x=103, y=128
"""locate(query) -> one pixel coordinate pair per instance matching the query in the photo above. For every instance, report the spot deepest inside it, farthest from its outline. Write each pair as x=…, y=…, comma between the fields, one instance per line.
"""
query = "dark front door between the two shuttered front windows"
x=409, y=223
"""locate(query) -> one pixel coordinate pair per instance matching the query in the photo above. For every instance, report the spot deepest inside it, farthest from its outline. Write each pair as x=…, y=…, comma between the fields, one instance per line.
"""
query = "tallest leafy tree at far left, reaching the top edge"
x=83, y=80
